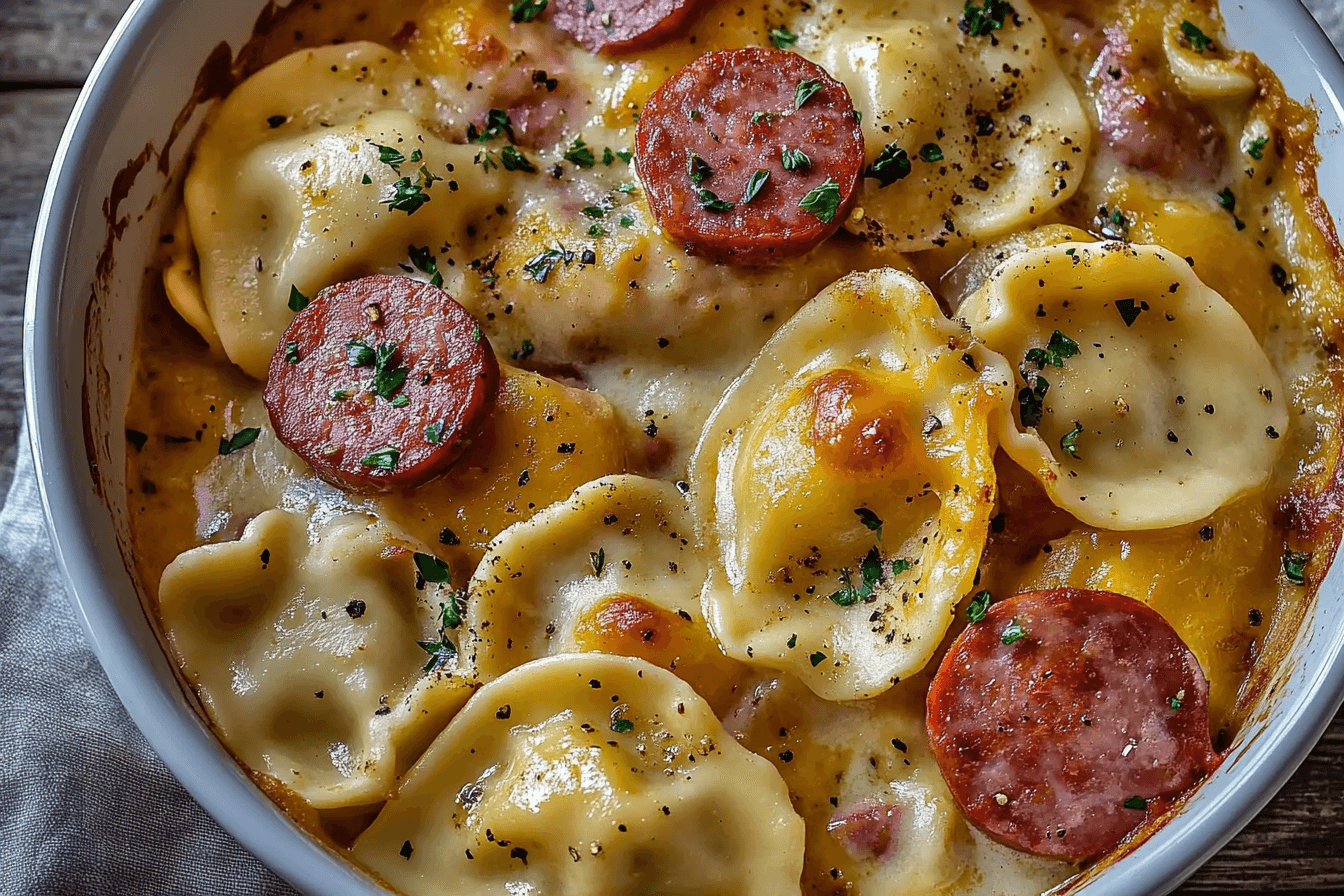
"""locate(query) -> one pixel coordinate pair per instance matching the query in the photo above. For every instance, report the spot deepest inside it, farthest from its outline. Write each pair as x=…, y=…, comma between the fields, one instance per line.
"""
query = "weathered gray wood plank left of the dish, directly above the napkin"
x=30, y=126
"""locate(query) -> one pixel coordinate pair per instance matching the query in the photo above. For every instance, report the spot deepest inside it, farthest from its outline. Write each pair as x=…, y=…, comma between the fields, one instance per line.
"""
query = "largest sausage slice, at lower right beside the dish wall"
x=1062, y=717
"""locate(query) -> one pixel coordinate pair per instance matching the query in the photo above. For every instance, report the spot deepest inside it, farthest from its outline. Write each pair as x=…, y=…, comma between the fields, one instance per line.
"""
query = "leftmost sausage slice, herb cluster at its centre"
x=381, y=384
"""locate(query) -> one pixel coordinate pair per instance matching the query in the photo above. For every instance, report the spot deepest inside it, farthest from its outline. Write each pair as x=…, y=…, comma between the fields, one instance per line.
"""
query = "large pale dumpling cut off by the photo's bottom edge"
x=588, y=774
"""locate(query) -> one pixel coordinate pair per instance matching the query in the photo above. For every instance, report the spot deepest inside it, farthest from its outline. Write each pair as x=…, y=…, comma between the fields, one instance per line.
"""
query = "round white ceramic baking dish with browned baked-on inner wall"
x=84, y=281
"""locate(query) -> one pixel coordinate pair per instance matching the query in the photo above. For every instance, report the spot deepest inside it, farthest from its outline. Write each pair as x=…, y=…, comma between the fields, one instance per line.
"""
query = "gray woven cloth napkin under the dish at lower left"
x=87, y=808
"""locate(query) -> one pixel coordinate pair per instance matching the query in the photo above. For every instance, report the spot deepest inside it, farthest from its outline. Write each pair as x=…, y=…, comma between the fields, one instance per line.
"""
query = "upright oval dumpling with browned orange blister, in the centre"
x=845, y=487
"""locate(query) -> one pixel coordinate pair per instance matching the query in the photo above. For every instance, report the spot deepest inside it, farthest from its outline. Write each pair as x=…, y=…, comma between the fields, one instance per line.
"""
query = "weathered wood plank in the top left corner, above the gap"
x=54, y=42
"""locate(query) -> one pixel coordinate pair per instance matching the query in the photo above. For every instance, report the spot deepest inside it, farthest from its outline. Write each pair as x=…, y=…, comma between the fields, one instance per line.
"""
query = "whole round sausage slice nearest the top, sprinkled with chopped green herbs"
x=751, y=155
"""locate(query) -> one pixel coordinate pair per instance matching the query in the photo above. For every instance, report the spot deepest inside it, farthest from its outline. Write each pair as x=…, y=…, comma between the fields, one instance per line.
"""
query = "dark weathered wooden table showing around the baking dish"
x=46, y=52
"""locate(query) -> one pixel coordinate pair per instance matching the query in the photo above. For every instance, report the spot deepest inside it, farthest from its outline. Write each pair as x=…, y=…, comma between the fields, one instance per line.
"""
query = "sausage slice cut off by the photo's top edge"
x=622, y=26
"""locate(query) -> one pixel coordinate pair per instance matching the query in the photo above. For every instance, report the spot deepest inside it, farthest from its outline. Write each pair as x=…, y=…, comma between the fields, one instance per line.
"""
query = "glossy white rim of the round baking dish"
x=1268, y=760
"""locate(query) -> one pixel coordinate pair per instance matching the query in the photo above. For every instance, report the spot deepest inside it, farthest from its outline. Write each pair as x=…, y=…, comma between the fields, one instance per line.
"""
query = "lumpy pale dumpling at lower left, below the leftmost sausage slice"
x=303, y=649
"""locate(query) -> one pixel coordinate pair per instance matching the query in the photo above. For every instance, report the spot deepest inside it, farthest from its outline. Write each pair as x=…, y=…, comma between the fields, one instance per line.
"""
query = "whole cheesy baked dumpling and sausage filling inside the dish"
x=673, y=447
